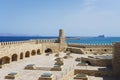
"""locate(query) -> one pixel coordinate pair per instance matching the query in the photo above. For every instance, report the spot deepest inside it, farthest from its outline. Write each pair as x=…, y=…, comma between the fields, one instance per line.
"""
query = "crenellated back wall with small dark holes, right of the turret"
x=90, y=48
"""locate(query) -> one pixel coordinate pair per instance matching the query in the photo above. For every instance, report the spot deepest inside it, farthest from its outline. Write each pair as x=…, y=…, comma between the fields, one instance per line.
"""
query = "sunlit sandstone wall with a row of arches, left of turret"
x=18, y=50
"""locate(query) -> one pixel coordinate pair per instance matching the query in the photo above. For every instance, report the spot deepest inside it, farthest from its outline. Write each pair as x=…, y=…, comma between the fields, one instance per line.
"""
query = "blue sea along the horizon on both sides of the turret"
x=75, y=40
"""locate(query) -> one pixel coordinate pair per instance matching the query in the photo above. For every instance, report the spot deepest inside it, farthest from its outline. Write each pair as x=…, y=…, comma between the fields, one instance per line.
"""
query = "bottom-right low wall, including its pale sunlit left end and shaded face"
x=97, y=73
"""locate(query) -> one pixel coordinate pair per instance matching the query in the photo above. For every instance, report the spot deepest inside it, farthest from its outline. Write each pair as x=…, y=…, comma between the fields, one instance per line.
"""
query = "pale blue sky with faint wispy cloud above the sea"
x=46, y=17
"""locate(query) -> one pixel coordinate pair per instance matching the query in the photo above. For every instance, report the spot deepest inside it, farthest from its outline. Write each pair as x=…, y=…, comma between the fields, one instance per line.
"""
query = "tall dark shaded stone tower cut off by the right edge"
x=116, y=59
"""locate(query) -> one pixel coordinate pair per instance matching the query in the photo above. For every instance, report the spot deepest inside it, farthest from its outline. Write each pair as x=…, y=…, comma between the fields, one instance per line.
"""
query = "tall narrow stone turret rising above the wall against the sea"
x=62, y=40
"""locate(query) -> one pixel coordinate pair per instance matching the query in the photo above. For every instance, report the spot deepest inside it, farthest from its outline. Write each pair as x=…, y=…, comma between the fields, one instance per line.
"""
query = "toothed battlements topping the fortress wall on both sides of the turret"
x=53, y=41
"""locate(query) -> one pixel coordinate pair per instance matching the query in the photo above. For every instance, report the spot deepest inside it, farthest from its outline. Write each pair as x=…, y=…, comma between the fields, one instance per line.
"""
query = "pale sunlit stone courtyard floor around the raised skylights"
x=42, y=60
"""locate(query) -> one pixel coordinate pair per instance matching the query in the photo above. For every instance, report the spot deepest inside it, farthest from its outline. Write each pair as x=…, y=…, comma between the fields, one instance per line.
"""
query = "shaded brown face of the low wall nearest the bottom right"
x=94, y=72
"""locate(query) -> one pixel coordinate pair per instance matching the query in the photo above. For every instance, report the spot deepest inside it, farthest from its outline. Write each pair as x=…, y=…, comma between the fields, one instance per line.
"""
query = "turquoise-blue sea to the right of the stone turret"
x=95, y=40
